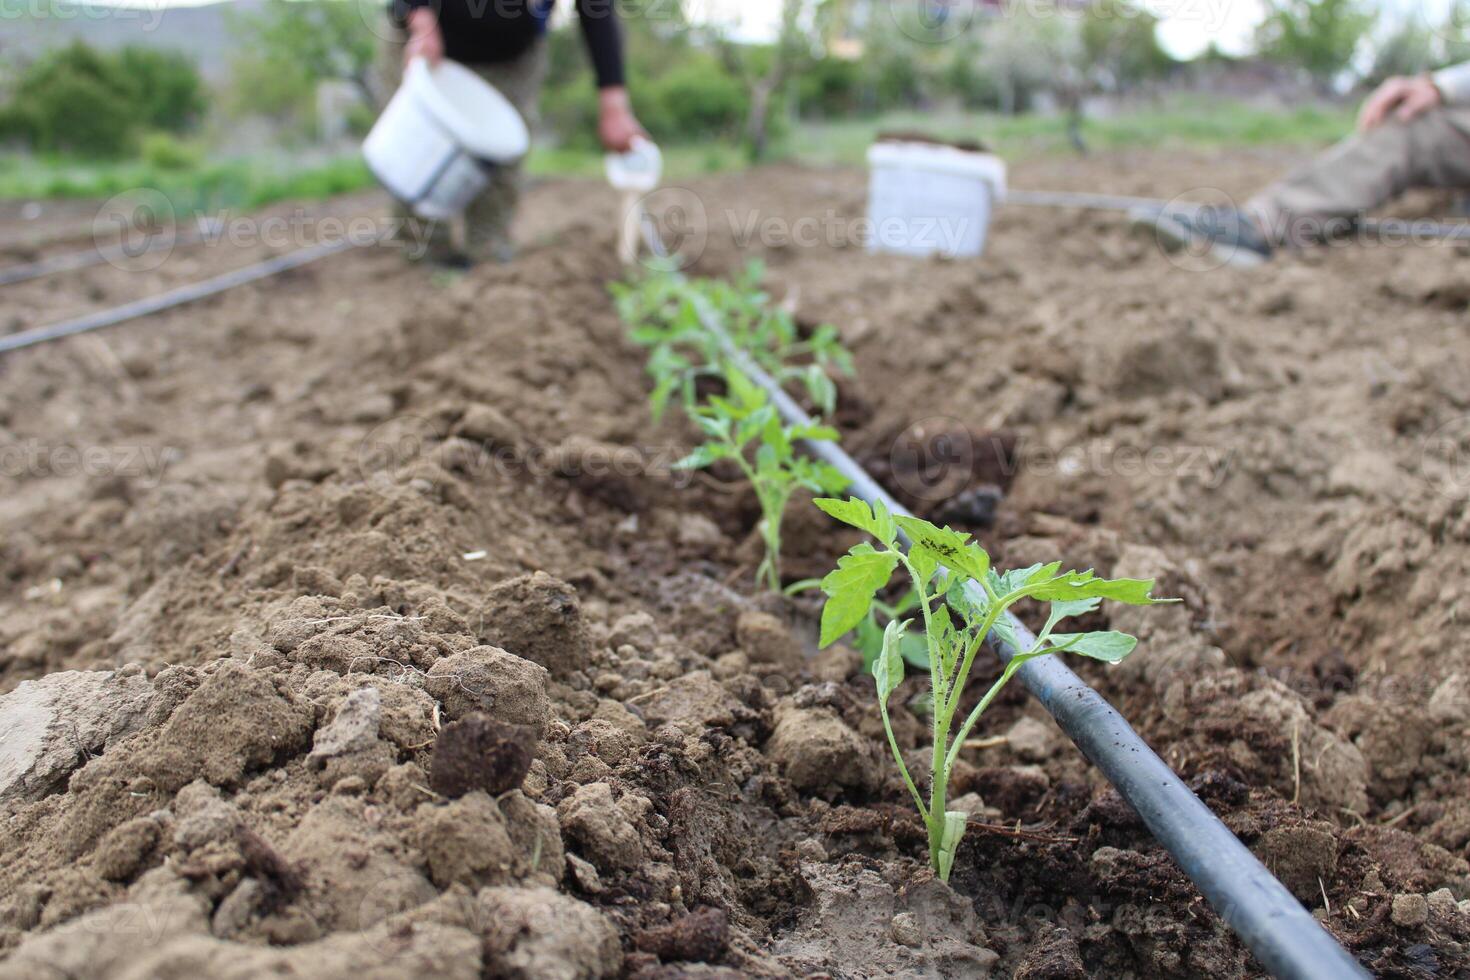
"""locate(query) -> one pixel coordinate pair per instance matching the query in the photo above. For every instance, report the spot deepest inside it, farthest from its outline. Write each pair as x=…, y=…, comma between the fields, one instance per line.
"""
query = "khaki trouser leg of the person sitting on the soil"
x=1366, y=171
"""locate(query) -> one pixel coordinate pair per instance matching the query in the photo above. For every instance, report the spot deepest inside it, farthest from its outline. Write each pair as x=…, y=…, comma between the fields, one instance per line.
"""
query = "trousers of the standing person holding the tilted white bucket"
x=483, y=233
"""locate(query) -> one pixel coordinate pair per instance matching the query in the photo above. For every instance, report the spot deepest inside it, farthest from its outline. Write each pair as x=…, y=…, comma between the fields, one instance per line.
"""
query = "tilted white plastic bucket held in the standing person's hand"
x=439, y=137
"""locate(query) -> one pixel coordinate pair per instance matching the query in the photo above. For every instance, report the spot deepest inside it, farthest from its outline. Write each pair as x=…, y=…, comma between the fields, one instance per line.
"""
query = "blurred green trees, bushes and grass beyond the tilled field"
x=274, y=107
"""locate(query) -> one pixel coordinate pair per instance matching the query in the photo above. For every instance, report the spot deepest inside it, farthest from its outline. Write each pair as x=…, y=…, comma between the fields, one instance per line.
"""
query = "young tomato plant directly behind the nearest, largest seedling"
x=746, y=428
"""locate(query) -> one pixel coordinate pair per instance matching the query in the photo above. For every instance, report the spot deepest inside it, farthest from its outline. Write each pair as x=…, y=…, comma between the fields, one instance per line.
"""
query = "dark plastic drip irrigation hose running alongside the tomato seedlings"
x=1268, y=919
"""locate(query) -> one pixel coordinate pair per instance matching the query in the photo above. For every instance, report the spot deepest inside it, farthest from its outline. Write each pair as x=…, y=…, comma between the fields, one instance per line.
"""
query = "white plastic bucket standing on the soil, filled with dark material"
x=928, y=199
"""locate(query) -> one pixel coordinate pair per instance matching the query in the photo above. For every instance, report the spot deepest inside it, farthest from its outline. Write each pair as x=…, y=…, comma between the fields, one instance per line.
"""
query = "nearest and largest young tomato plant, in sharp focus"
x=956, y=621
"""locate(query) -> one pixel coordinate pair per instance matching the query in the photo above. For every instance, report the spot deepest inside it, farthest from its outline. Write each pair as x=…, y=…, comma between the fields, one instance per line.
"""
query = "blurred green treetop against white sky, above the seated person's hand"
x=1319, y=37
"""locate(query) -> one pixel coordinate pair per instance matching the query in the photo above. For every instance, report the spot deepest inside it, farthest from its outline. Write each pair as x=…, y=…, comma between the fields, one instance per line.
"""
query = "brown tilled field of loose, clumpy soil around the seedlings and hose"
x=268, y=558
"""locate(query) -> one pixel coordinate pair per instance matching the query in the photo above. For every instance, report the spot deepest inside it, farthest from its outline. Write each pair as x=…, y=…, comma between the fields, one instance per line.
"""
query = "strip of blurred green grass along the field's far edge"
x=1180, y=123
